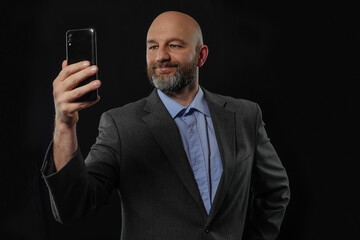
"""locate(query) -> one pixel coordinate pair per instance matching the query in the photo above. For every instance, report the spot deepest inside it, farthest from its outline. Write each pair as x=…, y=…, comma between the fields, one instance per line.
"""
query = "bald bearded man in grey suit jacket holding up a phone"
x=188, y=164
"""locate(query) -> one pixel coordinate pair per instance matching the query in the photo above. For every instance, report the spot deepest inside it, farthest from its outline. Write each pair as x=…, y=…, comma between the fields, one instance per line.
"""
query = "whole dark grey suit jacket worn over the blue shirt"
x=139, y=151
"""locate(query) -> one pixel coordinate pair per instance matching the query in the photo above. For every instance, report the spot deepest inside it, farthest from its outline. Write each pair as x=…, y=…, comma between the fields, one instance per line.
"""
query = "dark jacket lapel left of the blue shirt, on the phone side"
x=166, y=133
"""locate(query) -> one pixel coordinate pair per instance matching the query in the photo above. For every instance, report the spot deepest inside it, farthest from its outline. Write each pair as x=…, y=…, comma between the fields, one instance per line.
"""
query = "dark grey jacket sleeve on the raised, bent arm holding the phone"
x=81, y=187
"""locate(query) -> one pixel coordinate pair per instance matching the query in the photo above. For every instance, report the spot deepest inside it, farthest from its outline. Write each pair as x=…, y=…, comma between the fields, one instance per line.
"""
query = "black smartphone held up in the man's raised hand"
x=80, y=46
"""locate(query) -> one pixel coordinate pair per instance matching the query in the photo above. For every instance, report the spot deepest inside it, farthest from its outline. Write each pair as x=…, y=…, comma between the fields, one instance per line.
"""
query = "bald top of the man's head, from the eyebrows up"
x=174, y=24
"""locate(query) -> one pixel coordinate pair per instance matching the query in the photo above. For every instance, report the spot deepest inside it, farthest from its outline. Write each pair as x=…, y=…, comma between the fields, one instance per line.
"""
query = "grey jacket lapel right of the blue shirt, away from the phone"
x=224, y=125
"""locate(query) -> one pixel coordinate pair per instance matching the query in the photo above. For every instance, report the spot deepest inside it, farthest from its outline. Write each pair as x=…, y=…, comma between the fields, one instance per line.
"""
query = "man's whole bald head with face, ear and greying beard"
x=175, y=51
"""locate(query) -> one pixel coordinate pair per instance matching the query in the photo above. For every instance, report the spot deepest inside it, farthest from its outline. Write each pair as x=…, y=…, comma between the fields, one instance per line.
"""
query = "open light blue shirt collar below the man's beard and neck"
x=199, y=104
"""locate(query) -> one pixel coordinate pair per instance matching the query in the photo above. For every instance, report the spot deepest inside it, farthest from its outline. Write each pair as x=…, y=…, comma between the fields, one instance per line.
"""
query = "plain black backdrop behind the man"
x=299, y=60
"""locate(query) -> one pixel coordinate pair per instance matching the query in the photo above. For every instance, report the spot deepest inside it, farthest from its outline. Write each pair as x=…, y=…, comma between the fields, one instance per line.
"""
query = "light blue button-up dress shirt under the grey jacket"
x=198, y=137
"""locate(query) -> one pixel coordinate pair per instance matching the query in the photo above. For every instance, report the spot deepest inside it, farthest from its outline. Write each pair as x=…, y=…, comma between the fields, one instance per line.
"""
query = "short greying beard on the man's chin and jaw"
x=174, y=83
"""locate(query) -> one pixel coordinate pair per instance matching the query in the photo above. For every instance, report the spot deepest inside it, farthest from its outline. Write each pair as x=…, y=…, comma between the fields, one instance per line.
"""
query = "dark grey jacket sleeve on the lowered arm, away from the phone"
x=270, y=189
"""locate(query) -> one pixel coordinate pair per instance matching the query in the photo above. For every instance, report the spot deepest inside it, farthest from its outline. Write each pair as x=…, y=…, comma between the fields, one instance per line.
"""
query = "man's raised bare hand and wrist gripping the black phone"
x=66, y=108
